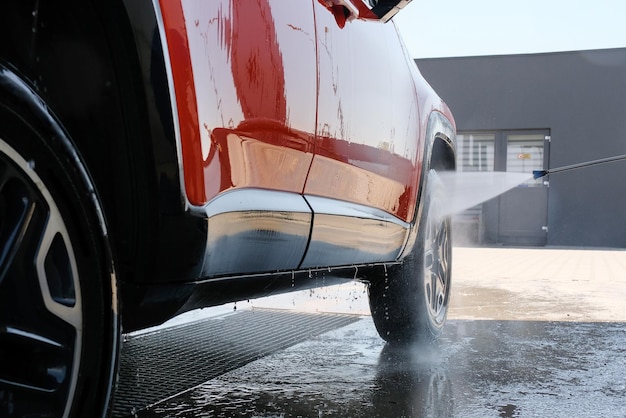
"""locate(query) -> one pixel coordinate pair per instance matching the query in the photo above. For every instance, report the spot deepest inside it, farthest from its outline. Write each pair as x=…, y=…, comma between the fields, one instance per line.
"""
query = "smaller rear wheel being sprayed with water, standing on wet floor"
x=410, y=303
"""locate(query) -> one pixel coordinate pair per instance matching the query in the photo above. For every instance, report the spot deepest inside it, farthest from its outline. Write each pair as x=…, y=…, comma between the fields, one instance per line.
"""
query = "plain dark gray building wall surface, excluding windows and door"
x=581, y=97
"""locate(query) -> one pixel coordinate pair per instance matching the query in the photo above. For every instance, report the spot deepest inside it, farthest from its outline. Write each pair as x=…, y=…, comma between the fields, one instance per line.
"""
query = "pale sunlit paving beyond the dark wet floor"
x=507, y=284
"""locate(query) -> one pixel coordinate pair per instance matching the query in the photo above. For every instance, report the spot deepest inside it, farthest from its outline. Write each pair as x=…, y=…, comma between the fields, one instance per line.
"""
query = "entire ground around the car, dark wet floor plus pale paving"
x=531, y=332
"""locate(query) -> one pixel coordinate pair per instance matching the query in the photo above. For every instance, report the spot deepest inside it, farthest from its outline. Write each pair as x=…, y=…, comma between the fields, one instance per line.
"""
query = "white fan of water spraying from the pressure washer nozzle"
x=467, y=189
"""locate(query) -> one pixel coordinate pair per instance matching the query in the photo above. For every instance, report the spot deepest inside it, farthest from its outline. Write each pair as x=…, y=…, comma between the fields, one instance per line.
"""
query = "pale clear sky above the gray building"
x=453, y=28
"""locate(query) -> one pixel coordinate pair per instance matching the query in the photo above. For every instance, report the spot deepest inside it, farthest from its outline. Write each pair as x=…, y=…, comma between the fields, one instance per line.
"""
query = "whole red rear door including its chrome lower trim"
x=367, y=150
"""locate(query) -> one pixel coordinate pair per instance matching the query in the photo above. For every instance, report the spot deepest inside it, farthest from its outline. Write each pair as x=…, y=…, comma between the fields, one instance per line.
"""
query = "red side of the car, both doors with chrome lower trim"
x=280, y=97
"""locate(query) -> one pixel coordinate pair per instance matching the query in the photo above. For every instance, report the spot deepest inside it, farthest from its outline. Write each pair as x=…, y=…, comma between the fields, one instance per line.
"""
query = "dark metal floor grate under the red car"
x=161, y=364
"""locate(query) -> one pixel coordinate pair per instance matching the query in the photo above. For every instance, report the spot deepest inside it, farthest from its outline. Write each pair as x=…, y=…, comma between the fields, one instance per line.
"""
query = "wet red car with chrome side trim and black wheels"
x=161, y=156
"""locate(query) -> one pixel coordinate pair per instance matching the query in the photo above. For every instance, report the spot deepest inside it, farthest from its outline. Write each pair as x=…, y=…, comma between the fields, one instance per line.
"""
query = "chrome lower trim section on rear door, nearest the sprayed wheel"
x=346, y=233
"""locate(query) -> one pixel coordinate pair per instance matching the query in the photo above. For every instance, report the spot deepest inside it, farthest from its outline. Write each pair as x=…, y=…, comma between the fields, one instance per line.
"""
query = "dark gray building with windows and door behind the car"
x=541, y=111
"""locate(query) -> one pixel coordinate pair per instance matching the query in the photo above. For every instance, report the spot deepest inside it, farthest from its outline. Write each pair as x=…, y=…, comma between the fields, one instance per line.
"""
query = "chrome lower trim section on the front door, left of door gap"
x=252, y=231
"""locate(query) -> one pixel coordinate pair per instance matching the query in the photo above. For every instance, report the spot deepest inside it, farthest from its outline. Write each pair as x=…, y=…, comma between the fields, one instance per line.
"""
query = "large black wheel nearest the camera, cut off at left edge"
x=59, y=333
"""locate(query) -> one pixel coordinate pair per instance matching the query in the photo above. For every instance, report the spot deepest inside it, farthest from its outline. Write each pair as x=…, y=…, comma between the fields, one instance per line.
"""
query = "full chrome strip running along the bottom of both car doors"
x=257, y=231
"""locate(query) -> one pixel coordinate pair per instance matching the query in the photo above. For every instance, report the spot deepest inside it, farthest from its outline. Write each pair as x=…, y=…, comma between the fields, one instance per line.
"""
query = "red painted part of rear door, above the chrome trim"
x=367, y=150
